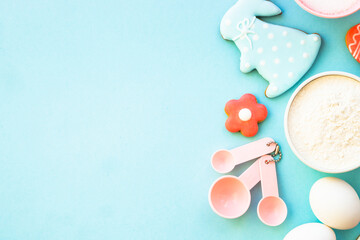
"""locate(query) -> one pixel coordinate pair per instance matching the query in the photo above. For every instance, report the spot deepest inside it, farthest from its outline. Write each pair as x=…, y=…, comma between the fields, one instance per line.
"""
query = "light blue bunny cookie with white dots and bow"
x=280, y=54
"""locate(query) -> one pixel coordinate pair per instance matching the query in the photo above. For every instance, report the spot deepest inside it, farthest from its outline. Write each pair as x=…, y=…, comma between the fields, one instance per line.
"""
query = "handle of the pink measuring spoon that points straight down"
x=268, y=177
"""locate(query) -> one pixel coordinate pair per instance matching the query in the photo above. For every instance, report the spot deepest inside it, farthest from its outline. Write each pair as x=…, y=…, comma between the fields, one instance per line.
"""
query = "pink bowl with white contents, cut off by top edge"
x=330, y=8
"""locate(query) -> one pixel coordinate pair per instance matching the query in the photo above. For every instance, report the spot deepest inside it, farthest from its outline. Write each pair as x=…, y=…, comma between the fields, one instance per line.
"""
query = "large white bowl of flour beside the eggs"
x=322, y=122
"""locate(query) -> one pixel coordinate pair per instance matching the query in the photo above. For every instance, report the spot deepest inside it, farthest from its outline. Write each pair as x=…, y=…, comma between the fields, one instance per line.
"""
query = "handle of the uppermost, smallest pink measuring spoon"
x=253, y=150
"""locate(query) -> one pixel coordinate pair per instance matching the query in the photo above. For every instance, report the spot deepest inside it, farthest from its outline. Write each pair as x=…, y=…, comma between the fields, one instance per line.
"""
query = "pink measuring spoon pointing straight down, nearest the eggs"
x=271, y=209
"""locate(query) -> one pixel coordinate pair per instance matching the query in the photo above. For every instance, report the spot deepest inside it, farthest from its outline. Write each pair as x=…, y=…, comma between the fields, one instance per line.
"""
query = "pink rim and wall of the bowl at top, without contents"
x=354, y=8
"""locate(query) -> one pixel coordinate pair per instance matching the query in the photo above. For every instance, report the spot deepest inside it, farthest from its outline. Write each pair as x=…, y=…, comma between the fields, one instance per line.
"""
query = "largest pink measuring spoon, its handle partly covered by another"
x=229, y=196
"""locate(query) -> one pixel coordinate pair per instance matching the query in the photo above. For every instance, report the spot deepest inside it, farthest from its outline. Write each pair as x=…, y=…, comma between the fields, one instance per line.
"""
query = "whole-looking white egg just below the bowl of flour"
x=335, y=203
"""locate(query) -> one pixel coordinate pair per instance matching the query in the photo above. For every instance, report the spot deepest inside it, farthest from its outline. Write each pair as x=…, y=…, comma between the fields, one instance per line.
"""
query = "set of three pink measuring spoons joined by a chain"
x=230, y=197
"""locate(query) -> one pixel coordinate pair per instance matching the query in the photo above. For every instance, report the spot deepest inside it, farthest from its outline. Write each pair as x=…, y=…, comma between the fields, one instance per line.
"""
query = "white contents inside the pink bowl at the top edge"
x=330, y=6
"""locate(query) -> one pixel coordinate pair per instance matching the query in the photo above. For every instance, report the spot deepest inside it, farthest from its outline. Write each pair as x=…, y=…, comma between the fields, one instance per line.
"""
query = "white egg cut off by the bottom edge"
x=311, y=231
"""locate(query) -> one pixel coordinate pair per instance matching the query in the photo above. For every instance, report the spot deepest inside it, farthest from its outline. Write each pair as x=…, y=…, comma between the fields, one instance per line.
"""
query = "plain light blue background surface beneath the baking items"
x=110, y=111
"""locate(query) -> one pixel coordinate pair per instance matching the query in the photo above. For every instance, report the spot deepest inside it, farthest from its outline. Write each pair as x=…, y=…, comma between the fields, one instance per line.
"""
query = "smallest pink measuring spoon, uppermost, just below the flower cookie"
x=223, y=161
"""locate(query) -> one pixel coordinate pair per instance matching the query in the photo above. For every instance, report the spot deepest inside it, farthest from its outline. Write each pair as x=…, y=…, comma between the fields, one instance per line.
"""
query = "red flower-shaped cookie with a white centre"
x=244, y=115
